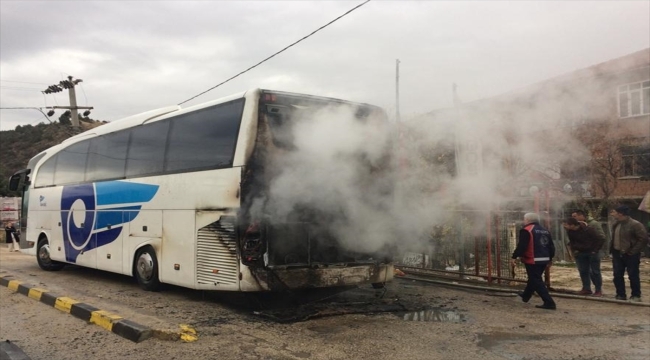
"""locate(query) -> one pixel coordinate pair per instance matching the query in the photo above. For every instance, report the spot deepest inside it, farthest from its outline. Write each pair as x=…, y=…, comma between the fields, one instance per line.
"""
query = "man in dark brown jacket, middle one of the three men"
x=586, y=242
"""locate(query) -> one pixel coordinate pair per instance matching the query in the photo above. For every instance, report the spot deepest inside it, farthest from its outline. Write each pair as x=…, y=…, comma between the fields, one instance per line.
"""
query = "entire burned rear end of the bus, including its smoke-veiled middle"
x=319, y=167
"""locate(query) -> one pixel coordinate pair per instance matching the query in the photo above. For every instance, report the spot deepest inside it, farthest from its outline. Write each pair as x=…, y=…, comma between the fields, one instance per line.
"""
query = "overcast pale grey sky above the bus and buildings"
x=138, y=56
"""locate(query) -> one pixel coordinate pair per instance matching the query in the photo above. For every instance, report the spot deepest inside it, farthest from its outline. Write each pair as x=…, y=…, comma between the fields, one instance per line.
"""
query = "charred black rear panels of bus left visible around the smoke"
x=300, y=247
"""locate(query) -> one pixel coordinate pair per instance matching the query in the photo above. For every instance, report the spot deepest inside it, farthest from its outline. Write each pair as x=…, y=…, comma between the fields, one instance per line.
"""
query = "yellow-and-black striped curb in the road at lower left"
x=111, y=322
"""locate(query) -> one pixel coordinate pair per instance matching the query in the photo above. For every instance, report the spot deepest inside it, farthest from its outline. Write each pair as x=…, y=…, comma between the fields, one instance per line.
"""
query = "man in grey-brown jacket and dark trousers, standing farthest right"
x=629, y=237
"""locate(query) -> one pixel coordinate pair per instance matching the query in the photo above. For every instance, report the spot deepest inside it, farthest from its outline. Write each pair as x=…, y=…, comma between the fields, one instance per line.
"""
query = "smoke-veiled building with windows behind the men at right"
x=582, y=137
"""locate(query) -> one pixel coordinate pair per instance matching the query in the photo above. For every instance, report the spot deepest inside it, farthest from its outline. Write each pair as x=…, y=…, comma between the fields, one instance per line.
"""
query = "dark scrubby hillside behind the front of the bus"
x=19, y=145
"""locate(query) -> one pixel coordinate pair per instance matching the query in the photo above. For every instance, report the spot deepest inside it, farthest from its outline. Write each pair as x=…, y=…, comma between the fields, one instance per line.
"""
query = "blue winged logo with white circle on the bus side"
x=92, y=215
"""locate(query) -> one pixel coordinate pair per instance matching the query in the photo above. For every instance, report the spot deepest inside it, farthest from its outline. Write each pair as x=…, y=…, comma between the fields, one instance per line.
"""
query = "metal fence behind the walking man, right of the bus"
x=479, y=245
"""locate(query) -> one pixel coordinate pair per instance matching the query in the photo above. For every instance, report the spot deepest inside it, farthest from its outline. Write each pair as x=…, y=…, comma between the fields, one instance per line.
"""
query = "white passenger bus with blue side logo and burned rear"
x=173, y=195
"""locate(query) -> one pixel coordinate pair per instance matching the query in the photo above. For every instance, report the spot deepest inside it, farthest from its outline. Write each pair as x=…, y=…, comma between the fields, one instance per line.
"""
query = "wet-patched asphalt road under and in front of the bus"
x=451, y=323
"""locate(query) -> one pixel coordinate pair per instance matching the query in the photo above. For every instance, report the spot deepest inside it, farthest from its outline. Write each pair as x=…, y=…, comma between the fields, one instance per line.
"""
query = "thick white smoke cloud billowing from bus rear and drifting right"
x=497, y=146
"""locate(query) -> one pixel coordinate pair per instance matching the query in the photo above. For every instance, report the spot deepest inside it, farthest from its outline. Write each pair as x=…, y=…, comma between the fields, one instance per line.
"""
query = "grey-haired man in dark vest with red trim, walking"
x=536, y=250
